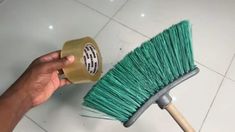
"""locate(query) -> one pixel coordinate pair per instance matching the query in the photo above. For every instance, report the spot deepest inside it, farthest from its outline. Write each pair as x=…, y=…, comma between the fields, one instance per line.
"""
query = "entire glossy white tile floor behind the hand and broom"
x=31, y=28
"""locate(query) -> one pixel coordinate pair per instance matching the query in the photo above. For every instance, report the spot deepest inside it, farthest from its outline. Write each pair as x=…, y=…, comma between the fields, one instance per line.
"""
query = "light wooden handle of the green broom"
x=182, y=122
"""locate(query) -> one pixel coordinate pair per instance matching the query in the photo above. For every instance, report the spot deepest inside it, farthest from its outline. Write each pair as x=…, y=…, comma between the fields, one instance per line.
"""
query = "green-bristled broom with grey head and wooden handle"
x=145, y=76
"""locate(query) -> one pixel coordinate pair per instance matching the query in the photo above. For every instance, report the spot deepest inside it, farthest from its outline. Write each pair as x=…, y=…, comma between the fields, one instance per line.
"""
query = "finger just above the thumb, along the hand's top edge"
x=50, y=56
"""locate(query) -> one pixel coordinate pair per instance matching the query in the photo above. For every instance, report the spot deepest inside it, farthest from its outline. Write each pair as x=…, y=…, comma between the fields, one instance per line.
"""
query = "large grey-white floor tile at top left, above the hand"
x=32, y=28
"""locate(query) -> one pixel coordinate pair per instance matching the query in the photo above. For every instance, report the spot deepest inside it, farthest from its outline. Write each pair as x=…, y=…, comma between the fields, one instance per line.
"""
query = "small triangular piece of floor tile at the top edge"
x=107, y=7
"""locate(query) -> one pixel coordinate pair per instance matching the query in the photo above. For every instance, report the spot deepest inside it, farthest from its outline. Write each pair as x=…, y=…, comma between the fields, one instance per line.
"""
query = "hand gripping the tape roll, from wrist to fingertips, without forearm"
x=41, y=78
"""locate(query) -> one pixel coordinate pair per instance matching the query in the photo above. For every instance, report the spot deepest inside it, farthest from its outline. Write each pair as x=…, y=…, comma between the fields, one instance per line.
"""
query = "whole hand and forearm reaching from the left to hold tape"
x=35, y=86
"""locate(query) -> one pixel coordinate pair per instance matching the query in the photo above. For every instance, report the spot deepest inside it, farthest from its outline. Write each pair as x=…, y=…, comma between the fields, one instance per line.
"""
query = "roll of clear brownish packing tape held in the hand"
x=87, y=66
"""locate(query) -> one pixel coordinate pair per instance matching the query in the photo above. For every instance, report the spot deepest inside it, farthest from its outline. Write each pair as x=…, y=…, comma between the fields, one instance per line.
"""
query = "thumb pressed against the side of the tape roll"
x=60, y=63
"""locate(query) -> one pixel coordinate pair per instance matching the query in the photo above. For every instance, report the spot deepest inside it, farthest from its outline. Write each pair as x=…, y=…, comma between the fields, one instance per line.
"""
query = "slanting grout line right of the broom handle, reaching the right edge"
x=216, y=94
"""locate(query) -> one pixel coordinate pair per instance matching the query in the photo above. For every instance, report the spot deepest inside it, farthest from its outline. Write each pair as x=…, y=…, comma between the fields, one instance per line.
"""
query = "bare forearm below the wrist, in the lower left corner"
x=13, y=105
